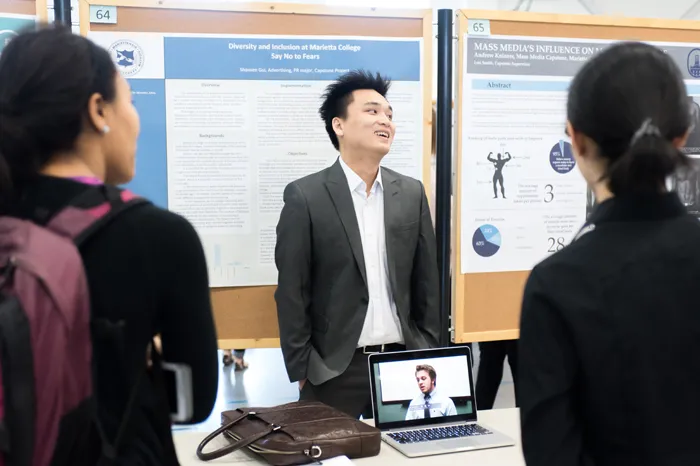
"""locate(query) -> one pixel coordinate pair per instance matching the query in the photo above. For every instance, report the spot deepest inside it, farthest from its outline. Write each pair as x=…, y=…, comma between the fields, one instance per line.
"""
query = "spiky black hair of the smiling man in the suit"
x=339, y=95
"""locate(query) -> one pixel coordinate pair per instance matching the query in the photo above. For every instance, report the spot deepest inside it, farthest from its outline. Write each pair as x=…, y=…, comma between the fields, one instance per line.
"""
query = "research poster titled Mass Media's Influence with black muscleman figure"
x=523, y=198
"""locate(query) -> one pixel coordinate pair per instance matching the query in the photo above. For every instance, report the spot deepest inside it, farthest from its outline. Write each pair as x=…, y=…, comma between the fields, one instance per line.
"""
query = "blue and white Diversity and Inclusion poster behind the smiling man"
x=228, y=121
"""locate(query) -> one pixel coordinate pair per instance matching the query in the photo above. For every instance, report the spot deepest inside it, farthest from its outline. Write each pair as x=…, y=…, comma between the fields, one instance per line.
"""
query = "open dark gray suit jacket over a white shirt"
x=322, y=294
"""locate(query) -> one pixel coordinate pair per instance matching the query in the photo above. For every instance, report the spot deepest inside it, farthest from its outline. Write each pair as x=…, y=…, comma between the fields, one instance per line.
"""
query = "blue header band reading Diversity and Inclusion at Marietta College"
x=288, y=59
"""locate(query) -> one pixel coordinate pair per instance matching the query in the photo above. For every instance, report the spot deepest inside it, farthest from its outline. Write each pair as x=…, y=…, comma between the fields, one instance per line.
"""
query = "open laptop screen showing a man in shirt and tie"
x=415, y=388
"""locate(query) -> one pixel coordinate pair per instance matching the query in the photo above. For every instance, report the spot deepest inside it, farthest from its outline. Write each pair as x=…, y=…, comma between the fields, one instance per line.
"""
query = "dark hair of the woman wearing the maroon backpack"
x=47, y=76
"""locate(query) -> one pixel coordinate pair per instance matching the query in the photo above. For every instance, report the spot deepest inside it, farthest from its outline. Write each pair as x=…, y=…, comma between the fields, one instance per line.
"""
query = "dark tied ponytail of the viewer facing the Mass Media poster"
x=646, y=164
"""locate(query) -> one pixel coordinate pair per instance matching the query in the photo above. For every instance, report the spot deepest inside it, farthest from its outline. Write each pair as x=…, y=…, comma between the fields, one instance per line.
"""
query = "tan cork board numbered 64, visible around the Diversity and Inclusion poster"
x=246, y=316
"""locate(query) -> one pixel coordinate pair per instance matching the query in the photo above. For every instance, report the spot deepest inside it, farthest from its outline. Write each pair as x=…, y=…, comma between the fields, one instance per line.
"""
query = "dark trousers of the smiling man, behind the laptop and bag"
x=350, y=391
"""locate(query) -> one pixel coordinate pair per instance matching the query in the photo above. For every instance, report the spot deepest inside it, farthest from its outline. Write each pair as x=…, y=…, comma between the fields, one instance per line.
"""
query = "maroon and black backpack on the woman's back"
x=46, y=331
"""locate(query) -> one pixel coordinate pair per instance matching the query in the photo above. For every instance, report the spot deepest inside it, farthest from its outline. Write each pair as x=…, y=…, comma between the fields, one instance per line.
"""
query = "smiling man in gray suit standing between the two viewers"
x=356, y=255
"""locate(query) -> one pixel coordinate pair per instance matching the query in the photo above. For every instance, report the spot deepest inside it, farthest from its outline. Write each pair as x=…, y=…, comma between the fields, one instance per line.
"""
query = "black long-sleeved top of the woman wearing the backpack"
x=148, y=269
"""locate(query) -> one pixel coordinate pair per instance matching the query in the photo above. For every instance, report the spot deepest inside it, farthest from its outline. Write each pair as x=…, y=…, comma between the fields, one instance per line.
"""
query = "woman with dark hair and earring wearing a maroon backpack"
x=68, y=134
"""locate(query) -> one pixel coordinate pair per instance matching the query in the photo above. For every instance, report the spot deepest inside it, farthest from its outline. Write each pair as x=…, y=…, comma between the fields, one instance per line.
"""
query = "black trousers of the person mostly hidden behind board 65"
x=492, y=357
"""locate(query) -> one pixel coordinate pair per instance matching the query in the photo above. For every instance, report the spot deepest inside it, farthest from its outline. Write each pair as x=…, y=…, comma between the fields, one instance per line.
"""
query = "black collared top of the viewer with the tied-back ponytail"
x=610, y=342
